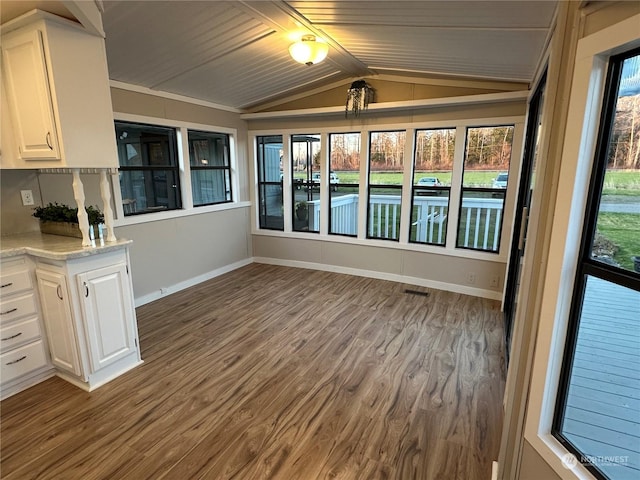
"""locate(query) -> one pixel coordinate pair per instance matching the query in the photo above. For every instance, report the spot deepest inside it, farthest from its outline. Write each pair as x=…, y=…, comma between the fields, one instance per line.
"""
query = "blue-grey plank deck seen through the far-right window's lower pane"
x=603, y=407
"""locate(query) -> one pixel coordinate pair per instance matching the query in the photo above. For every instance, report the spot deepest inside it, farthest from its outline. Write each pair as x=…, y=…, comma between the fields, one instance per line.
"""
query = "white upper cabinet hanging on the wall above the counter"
x=57, y=87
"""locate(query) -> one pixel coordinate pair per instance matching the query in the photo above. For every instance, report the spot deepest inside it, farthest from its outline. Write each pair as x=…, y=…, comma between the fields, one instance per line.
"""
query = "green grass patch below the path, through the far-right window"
x=623, y=230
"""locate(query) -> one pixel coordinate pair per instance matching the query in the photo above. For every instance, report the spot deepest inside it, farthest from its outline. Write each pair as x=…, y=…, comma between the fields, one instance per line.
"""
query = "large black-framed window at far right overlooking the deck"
x=597, y=414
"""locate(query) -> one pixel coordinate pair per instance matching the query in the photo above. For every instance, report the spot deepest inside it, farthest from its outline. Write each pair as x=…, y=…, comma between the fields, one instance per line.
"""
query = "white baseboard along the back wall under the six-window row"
x=422, y=282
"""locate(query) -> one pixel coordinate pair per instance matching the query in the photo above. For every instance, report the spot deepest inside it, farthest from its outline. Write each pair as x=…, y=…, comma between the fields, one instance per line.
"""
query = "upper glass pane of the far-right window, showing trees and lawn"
x=617, y=237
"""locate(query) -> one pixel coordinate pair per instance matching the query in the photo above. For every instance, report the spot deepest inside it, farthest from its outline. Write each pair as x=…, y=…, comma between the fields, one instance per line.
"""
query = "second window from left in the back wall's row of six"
x=305, y=174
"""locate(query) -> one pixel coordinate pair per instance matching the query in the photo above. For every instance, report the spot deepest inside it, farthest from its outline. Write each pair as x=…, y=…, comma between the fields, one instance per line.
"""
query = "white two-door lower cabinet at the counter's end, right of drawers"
x=89, y=317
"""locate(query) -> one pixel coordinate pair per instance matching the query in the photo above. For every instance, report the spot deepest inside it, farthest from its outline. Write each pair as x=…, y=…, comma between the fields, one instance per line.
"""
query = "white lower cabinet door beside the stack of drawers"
x=56, y=311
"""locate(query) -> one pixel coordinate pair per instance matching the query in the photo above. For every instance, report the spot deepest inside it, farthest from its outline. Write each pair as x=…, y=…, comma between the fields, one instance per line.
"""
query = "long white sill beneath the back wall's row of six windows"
x=414, y=247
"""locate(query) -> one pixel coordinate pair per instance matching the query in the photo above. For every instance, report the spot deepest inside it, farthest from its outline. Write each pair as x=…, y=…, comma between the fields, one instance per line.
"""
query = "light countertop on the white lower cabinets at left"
x=54, y=247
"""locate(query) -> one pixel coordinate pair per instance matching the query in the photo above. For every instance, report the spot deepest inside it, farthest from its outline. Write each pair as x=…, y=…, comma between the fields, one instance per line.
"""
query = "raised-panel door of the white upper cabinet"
x=29, y=93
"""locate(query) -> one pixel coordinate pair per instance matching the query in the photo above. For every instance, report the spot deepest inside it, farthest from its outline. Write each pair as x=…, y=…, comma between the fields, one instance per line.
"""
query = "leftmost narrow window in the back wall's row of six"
x=270, y=206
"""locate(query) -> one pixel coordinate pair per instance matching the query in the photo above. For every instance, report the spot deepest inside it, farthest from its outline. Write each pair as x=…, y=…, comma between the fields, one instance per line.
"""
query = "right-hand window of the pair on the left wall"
x=209, y=160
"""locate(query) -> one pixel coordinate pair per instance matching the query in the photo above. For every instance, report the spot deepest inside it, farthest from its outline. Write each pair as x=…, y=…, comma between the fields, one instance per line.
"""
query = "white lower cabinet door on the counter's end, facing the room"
x=109, y=314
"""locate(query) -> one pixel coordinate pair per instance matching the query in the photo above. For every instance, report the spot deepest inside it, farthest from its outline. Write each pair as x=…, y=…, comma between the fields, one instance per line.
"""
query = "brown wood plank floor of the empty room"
x=279, y=373
